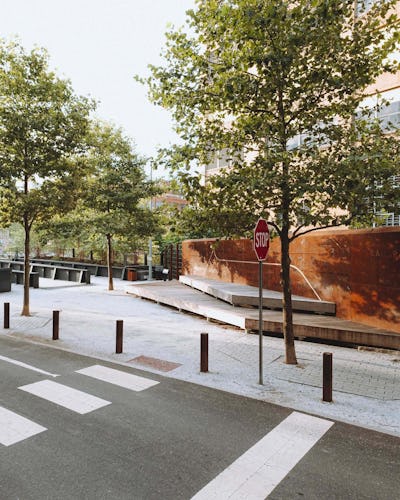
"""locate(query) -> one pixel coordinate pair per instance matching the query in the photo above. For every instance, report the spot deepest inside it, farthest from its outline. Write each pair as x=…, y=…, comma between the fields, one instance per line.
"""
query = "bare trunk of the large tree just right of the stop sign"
x=290, y=351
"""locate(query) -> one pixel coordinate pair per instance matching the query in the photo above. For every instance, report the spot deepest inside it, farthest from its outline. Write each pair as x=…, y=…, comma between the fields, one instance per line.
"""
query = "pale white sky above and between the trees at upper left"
x=100, y=45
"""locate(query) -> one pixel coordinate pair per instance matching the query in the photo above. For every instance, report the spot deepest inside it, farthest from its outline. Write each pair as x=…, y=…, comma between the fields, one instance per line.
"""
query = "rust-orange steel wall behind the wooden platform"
x=359, y=270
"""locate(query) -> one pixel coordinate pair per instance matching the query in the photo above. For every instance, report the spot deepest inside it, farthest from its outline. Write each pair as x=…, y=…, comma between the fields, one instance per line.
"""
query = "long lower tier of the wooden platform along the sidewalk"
x=306, y=325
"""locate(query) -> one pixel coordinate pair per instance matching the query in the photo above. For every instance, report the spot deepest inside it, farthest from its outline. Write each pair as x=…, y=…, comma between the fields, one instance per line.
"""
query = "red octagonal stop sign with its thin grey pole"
x=261, y=247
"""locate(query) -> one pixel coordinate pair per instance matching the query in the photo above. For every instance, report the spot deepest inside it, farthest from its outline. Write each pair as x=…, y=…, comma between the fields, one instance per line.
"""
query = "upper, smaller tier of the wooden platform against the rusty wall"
x=244, y=295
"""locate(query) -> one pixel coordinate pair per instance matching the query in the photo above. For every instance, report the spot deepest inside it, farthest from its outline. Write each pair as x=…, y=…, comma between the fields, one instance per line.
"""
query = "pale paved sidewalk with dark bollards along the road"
x=163, y=340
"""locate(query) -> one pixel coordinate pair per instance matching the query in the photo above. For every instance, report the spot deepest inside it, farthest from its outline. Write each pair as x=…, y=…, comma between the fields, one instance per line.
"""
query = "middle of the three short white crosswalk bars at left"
x=77, y=401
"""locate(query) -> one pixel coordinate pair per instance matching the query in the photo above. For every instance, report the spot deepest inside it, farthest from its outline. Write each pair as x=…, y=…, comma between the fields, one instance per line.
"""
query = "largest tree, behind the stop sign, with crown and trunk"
x=274, y=88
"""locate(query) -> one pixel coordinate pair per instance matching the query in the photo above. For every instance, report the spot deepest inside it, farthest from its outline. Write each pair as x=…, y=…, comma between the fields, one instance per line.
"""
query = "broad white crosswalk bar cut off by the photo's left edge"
x=14, y=428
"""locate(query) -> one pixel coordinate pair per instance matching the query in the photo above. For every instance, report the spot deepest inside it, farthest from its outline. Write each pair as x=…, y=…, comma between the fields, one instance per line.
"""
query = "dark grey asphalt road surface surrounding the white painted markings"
x=167, y=441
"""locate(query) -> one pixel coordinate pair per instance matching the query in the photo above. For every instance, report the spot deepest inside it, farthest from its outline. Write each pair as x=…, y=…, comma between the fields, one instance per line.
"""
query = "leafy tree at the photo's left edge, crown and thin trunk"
x=42, y=130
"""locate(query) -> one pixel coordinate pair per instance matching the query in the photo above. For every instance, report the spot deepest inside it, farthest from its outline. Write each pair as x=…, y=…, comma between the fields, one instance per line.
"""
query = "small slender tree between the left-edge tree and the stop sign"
x=116, y=190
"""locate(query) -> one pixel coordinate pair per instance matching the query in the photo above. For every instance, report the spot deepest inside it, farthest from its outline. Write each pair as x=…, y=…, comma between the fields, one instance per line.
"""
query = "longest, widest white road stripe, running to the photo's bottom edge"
x=255, y=474
